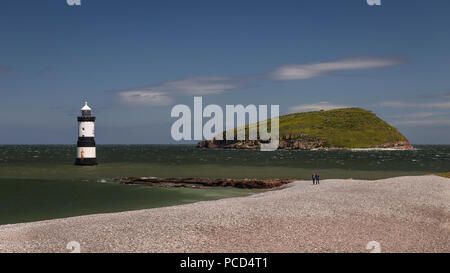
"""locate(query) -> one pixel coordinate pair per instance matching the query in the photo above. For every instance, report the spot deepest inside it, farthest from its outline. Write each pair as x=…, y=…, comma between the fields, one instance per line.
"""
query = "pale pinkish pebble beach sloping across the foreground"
x=403, y=214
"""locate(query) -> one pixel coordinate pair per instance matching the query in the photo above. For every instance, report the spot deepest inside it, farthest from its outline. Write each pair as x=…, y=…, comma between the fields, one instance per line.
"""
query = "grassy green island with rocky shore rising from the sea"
x=333, y=129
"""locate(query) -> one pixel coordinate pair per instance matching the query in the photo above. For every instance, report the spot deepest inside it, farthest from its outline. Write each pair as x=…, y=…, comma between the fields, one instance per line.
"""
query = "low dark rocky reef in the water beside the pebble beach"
x=205, y=182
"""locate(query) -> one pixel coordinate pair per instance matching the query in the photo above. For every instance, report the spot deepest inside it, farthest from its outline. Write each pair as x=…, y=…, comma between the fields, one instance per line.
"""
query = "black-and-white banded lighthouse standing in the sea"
x=86, y=154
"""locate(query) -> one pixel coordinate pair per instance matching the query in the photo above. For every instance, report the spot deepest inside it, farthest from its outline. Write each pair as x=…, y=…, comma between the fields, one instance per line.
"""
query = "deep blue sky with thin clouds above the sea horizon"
x=133, y=60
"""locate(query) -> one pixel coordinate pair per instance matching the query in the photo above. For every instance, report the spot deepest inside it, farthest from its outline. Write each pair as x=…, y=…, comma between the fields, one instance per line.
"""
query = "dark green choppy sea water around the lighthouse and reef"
x=39, y=182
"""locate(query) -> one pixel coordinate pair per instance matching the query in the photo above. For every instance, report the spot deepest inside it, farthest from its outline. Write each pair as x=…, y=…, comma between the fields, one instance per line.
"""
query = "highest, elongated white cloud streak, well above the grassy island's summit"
x=307, y=71
